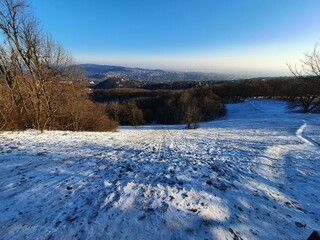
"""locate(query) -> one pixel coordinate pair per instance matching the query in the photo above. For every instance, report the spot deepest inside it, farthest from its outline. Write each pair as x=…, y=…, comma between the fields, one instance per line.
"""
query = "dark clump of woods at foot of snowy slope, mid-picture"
x=163, y=107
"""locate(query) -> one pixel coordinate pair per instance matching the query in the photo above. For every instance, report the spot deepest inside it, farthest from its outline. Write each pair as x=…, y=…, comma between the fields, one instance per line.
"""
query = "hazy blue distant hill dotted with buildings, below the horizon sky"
x=96, y=73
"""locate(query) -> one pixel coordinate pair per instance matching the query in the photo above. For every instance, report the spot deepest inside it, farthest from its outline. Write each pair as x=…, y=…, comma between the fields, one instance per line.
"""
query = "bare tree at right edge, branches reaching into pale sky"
x=307, y=90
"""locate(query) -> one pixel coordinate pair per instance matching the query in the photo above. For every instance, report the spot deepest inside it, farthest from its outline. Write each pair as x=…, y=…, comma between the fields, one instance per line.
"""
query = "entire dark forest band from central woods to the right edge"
x=135, y=106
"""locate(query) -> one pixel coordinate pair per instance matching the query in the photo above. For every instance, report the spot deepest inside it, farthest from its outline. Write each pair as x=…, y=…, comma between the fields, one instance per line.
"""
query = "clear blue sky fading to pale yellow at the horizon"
x=238, y=36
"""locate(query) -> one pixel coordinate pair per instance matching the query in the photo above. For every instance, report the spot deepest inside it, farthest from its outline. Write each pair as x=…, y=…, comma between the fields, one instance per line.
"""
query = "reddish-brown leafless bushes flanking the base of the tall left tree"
x=70, y=109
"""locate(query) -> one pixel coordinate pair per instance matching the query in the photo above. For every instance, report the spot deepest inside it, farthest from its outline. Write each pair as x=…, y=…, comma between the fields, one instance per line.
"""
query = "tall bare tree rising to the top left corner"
x=31, y=62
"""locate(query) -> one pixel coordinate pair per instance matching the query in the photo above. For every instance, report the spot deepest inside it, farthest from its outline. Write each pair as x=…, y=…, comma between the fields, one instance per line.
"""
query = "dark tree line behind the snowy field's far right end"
x=303, y=92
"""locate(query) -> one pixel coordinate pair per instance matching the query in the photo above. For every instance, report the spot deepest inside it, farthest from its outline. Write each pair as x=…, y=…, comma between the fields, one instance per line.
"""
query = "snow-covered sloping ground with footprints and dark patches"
x=253, y=175
